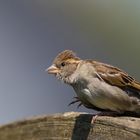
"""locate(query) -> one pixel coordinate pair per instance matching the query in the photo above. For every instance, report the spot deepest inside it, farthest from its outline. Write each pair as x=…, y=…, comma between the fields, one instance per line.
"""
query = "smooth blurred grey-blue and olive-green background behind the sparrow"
x=32, y=32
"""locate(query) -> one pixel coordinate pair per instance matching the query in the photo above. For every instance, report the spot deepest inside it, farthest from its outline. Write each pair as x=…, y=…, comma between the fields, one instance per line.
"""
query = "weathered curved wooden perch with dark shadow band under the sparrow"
x=72, y=126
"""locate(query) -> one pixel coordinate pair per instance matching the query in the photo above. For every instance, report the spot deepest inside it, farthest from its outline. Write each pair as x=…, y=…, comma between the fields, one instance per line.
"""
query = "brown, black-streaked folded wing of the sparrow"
x=116, y=77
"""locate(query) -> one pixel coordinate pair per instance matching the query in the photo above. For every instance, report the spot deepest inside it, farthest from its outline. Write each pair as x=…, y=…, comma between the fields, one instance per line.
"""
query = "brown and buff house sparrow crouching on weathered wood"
x=98, y=86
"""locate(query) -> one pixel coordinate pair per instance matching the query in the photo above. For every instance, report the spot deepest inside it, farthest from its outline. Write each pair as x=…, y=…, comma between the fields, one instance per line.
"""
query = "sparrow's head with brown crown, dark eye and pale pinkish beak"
x=64, y=65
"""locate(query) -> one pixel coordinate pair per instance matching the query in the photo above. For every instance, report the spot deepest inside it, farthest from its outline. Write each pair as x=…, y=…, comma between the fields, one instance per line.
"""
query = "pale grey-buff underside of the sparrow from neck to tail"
x=92, y=90
